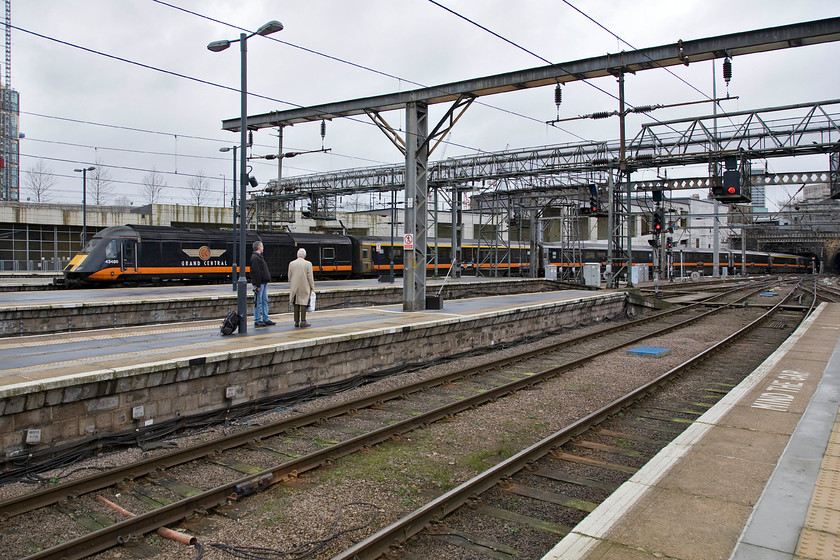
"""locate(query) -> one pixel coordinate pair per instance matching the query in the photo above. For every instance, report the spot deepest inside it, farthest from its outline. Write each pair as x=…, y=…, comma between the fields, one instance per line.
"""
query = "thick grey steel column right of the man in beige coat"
x=416, y=205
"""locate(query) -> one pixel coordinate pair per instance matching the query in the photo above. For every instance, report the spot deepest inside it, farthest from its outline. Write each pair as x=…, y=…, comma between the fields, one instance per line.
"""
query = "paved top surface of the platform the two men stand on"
x=44, y=358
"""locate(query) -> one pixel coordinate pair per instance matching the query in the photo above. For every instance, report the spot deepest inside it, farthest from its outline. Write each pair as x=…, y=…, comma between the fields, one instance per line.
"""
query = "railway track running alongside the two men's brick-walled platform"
x=265, y=455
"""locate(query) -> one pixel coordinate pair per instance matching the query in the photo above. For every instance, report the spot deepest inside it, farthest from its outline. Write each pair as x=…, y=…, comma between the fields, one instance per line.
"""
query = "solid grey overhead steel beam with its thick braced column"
x=681, y=52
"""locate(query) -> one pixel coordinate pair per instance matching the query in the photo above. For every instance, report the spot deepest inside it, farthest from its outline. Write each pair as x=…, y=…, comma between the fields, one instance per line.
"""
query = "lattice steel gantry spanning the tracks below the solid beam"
x=802, y=129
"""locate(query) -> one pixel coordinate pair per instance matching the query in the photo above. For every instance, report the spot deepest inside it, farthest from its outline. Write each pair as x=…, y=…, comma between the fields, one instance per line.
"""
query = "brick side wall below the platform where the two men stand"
x=72, y=408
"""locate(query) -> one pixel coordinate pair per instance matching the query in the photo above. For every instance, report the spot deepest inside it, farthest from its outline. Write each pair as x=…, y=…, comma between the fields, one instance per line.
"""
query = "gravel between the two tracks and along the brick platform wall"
x=397, y=477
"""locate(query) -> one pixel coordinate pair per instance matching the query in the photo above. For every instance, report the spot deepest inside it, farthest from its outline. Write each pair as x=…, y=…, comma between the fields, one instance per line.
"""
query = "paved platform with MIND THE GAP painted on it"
x=757, y=477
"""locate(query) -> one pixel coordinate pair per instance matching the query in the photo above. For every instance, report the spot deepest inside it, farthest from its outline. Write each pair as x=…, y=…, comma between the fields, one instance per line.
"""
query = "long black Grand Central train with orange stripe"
x=154, y=254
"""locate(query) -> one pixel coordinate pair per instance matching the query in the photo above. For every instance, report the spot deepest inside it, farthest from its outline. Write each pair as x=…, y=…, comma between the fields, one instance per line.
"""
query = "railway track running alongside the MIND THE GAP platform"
x=518, y=508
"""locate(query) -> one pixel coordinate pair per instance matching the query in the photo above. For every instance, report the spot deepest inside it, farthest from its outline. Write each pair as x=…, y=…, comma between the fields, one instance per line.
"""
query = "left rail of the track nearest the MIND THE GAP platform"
x=409, y=525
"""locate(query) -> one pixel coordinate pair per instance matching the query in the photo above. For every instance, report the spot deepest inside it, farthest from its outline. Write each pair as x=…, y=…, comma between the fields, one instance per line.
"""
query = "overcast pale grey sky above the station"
x=79, y=106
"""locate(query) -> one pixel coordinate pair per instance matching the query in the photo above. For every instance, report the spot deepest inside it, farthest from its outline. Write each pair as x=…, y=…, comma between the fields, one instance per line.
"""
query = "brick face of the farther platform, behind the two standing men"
x=47, y=319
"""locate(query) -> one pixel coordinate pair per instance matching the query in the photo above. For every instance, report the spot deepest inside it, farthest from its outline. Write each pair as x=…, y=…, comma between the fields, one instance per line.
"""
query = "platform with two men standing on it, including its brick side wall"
x=67, y=387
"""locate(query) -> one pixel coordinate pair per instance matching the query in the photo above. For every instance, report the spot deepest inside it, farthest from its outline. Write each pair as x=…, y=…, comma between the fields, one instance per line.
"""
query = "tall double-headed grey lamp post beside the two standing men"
x=218, y=46
